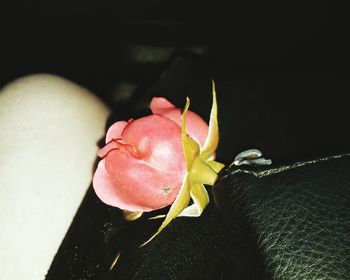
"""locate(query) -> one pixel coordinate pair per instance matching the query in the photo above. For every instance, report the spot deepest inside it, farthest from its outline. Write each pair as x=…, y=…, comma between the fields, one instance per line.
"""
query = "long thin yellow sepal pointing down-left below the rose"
x=180, y=203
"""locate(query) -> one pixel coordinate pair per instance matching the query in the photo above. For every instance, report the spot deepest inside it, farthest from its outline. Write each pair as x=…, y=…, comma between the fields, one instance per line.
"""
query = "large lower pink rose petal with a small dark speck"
x=138, y=186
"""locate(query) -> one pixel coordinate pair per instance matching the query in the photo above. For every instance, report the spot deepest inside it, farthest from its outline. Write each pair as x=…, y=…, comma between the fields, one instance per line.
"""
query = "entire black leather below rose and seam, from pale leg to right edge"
x=290, y=222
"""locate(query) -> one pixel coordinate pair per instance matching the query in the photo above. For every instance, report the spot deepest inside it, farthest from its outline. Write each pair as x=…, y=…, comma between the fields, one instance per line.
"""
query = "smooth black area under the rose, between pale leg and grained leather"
x=187, y=249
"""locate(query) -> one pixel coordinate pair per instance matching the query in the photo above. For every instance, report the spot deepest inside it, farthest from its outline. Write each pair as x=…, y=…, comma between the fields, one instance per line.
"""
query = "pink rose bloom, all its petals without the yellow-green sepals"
x=143, y=164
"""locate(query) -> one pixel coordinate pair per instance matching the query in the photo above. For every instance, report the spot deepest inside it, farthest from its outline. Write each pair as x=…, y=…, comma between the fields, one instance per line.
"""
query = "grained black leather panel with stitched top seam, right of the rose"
x=297, y=217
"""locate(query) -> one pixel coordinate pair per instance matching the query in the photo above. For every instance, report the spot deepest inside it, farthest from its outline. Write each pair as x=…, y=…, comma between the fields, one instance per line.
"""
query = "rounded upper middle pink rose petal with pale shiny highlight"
x=158, y=143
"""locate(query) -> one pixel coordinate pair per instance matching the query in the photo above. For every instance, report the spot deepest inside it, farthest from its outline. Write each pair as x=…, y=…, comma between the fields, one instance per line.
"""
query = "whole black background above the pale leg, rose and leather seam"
x=281, y=67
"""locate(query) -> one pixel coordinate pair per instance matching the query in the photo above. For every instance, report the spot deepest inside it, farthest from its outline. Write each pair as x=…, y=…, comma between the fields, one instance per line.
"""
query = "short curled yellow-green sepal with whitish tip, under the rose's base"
x=200, y=198
